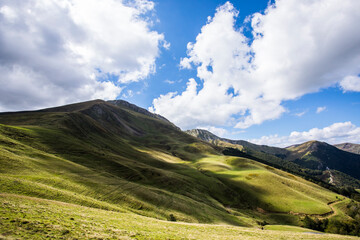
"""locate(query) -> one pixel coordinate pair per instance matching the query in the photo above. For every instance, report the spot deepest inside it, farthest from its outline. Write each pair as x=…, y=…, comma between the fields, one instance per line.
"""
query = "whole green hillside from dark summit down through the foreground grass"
x=119, y=161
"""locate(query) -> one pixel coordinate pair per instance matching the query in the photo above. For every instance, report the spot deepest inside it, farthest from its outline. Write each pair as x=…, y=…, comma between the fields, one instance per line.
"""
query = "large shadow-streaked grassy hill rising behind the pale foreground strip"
x=143, y=166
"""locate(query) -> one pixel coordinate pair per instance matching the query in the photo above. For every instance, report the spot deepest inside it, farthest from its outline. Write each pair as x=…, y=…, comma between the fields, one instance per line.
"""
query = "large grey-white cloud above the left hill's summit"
x=55, y=52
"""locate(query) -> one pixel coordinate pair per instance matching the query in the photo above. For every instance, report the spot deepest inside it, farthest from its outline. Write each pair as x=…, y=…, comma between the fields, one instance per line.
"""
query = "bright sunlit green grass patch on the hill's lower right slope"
x=271, y=189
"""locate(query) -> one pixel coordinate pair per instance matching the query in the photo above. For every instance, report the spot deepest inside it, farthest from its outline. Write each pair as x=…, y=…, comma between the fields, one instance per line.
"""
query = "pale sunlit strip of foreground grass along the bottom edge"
x=34, y=218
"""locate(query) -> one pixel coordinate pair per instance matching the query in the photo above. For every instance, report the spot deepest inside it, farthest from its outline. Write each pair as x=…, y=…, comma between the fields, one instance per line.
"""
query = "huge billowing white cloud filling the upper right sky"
x=298, y=47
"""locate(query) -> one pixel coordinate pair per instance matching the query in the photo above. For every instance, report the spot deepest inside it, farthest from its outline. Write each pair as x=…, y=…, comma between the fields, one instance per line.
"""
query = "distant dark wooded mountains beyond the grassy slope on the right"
x=310, y=159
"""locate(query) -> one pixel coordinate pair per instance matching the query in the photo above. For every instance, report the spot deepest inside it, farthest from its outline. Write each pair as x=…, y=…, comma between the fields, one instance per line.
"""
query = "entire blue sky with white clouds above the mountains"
x=271, y=72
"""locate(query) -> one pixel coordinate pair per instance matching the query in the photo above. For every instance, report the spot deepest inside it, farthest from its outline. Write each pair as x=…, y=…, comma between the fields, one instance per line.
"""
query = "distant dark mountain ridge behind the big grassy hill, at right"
x=313, y=155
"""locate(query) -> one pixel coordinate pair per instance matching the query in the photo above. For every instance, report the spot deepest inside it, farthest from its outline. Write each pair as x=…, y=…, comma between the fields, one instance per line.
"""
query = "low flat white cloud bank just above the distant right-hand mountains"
x=335, y=133
